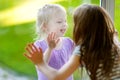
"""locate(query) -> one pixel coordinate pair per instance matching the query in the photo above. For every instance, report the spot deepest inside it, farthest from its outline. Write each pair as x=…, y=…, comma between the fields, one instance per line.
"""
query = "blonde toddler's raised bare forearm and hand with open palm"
x=52, y=42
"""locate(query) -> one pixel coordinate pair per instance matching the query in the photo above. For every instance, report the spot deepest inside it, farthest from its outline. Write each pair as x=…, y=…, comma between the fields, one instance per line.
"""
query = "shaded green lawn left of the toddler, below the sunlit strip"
x=13, y=40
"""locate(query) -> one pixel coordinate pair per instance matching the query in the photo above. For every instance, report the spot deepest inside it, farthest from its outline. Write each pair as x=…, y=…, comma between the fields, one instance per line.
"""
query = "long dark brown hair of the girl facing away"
x=94, y=32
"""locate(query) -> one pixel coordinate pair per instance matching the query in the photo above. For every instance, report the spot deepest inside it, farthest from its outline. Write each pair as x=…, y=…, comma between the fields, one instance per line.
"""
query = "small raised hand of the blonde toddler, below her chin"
x=52, y=41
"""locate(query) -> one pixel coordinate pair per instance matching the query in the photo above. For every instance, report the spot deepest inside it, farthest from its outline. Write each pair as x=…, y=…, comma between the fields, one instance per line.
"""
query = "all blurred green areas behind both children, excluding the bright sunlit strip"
x=13, y=39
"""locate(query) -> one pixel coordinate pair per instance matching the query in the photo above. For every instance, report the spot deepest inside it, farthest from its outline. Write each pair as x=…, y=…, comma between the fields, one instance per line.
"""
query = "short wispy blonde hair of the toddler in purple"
x=44, y=15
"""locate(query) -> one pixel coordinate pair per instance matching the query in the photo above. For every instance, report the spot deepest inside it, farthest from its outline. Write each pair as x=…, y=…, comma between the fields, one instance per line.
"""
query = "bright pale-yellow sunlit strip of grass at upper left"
x=26, y=12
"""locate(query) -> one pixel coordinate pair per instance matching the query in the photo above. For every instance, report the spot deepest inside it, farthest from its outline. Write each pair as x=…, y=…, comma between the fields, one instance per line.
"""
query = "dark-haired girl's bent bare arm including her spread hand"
x=36, y=56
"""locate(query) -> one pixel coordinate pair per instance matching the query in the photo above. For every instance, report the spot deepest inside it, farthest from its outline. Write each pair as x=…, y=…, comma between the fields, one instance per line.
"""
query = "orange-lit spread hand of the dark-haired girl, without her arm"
x=34, y=54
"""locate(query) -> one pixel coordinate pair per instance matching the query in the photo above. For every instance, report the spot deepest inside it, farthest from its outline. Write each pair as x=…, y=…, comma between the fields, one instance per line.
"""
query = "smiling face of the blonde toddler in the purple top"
x=57, y=24
